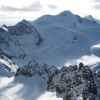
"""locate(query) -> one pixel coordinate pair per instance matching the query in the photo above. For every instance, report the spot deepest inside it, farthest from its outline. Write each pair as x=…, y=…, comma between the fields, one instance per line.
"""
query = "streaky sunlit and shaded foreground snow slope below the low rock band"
x=23, y=88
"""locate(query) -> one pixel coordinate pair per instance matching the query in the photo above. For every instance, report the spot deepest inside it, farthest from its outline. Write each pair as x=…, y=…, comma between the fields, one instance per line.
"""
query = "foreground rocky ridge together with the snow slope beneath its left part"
x=40, y=81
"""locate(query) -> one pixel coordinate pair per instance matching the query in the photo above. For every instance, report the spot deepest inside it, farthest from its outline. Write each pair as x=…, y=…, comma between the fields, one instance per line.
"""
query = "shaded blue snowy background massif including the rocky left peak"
x=50, y=39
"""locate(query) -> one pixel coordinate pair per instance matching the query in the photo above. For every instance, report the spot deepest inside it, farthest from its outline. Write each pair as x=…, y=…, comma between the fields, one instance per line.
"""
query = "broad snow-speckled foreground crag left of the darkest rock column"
x=68, y=81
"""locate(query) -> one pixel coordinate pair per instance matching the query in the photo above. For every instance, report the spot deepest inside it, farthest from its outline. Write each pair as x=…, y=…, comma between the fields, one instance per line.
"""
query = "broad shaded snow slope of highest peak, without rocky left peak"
x=65, y=36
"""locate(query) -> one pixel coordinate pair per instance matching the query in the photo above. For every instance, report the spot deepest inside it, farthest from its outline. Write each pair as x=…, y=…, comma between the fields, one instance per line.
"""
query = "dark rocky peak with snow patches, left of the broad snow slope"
x=14, y=39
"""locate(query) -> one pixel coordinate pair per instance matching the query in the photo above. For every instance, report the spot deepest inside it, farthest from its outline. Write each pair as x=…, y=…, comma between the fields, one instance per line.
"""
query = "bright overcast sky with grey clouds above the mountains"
x=12, y=11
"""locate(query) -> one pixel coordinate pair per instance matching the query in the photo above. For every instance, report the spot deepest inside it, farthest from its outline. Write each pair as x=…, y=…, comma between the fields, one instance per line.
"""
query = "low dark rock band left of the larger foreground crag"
x=32, y=68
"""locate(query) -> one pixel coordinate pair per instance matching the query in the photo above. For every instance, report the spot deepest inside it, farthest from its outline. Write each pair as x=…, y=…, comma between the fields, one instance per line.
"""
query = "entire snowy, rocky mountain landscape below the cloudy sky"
x=53, y=41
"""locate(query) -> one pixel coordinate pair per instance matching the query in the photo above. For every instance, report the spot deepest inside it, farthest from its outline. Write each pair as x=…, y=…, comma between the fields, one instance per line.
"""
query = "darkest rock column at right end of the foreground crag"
x=90, y=91
